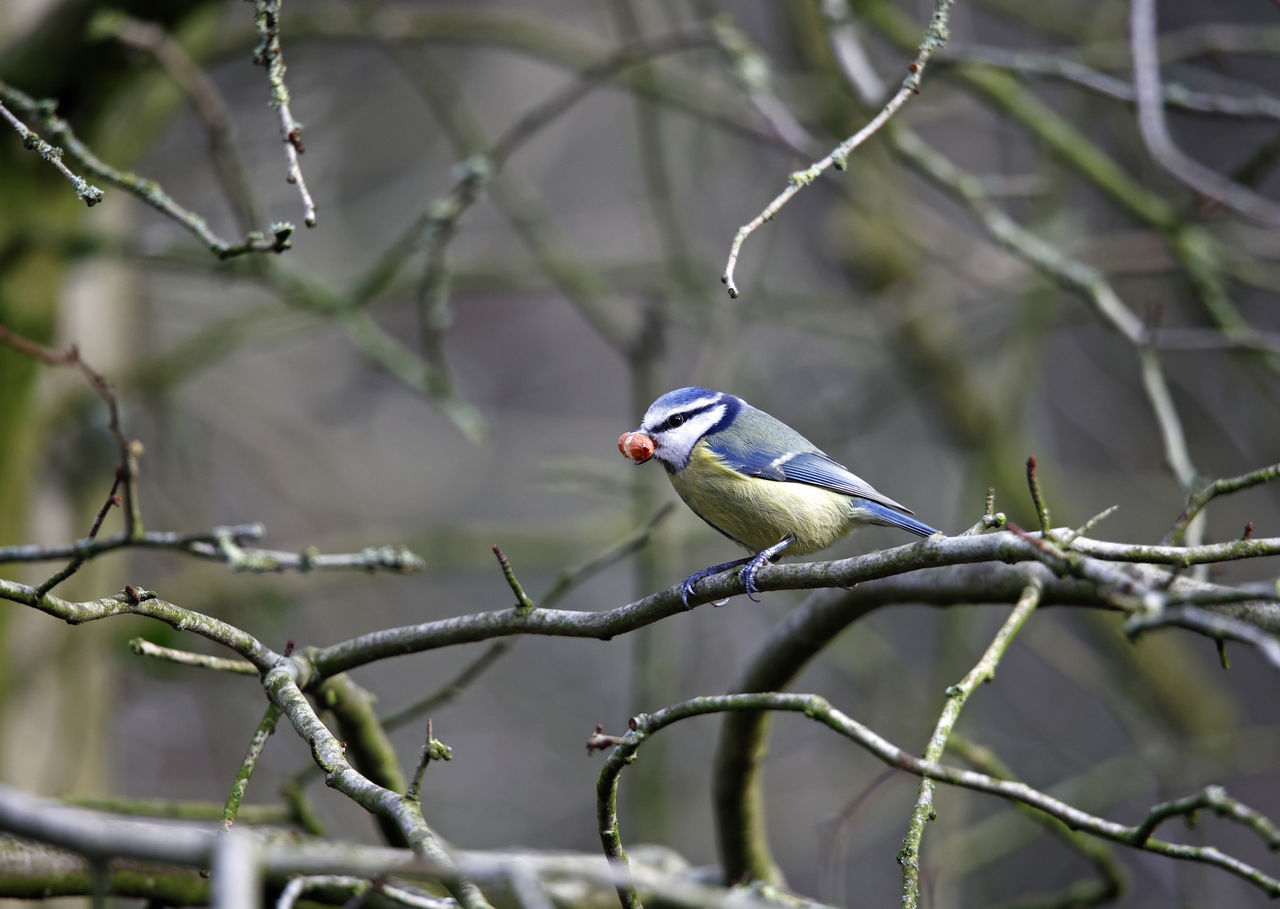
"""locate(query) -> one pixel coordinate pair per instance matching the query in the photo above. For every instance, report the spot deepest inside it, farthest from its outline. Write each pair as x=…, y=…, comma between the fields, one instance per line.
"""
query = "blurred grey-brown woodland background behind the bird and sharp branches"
x=446, y=363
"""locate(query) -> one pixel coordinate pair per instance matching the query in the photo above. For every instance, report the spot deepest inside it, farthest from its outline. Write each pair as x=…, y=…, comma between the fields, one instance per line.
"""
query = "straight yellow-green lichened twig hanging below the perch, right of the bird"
x=984, y=672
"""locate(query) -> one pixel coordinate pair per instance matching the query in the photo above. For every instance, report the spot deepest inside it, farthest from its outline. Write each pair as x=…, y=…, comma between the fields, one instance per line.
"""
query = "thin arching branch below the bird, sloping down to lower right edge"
x=819, y=710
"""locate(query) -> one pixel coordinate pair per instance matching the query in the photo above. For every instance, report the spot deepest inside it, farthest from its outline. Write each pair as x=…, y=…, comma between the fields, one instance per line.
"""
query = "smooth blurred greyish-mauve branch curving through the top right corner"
x=1155, y=133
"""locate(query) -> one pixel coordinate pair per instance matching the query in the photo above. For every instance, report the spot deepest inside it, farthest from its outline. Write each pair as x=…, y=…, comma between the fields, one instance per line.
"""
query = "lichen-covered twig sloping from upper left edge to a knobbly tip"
x=149, y=191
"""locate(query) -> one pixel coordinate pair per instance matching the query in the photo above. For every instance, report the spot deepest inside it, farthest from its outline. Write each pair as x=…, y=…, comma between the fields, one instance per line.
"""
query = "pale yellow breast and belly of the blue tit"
x=761, y=513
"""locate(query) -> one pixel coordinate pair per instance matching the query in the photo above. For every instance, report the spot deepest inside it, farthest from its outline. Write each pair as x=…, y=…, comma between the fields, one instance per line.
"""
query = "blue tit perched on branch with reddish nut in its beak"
x=756, y=481
